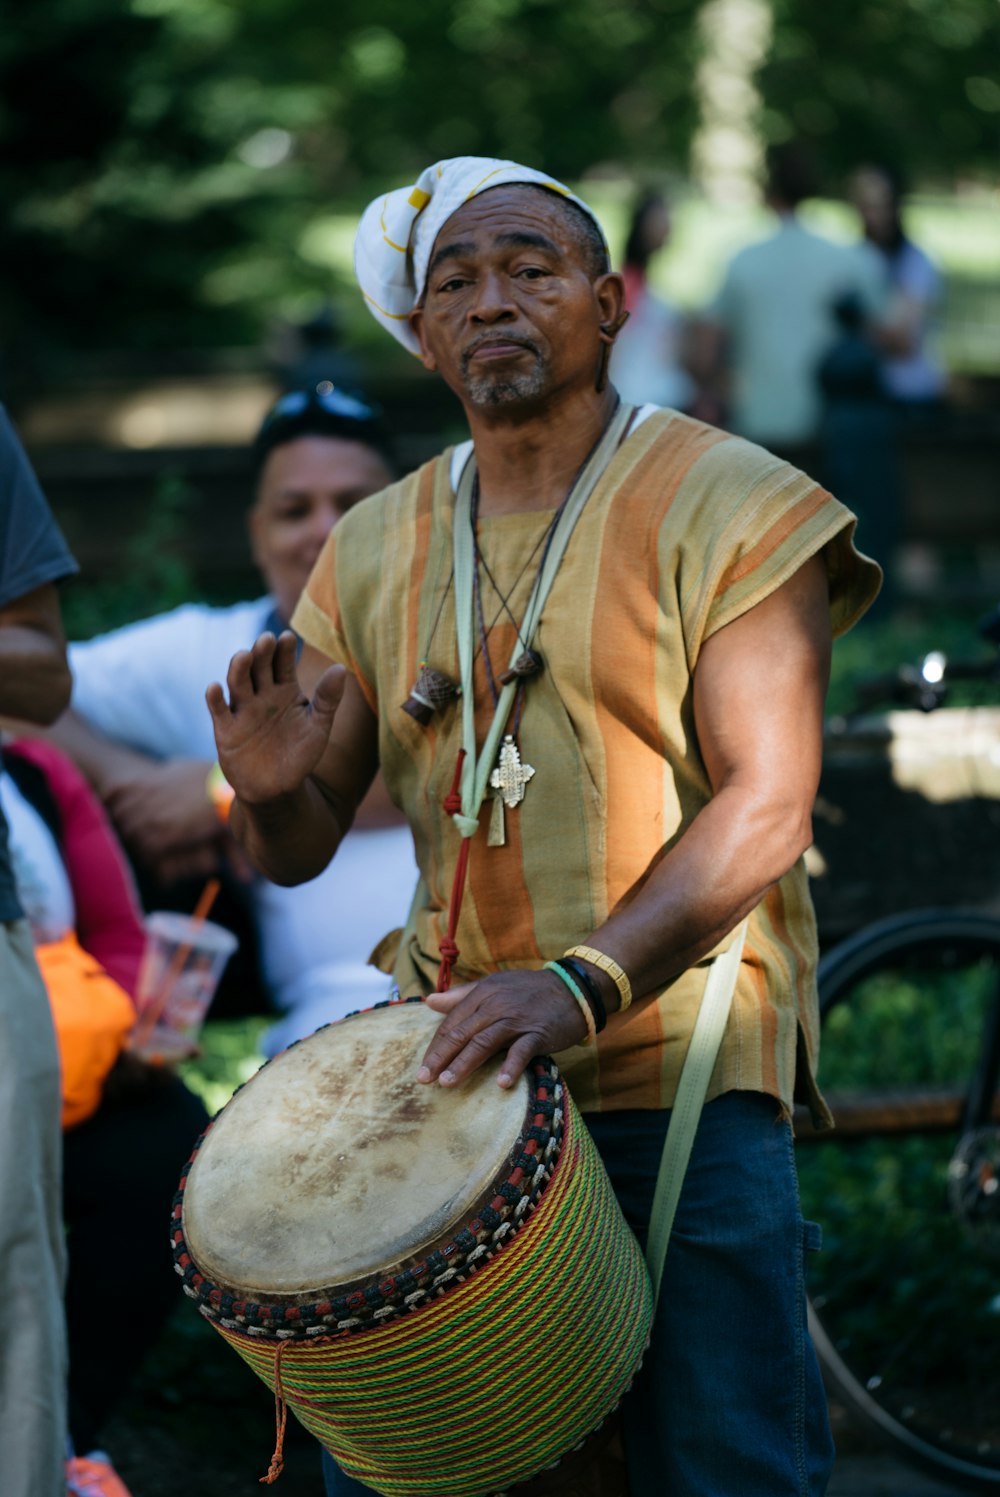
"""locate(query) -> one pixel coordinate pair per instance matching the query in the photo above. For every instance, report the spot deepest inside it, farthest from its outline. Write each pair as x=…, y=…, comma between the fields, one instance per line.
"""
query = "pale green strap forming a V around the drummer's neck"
x=478, y=767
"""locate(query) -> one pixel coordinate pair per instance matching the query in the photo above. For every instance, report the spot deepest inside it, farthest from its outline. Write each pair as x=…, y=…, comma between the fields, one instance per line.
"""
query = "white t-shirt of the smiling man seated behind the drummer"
x=146, y=686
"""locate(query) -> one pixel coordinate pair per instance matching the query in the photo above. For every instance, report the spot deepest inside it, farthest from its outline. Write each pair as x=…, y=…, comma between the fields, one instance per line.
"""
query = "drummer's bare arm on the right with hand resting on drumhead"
x=760, y=689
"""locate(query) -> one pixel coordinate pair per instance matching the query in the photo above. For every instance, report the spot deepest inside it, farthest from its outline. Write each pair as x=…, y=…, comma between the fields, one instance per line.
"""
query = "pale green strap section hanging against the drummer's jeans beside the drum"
x=691, y=1098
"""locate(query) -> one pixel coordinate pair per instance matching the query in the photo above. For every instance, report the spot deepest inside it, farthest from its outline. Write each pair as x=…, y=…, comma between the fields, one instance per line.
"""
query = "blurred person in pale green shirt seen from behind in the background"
x=761, y=342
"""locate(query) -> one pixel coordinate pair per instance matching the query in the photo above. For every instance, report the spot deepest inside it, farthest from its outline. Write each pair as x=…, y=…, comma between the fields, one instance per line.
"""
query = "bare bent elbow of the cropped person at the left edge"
x=35, y=680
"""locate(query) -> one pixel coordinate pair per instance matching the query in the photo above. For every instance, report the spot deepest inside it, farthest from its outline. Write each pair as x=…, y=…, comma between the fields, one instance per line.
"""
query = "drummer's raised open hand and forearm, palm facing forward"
x=300, y=751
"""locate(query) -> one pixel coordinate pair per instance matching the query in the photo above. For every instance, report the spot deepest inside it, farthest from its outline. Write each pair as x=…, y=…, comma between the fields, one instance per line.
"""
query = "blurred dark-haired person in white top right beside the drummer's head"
x=646, y=365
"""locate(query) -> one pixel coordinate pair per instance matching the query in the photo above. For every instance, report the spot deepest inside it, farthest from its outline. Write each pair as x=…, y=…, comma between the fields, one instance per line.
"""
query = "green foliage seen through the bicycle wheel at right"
x=905, y=1293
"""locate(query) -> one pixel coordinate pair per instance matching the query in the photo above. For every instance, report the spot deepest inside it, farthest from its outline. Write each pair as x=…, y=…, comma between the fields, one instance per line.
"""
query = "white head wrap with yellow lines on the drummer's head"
x=397, y=233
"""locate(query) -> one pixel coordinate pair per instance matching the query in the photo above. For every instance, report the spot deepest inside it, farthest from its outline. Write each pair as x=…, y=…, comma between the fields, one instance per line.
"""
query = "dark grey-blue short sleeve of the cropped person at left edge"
x=32, y=547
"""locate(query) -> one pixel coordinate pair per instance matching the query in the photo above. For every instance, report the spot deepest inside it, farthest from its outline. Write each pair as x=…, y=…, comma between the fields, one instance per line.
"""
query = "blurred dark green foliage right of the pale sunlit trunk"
x=912, y=83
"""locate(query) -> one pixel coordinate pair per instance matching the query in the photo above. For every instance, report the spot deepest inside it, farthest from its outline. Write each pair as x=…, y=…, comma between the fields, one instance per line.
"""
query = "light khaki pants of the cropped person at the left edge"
x=32, y=1327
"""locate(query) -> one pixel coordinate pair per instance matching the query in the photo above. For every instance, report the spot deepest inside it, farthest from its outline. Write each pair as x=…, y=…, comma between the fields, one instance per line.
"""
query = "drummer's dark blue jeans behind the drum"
x=730, y=1402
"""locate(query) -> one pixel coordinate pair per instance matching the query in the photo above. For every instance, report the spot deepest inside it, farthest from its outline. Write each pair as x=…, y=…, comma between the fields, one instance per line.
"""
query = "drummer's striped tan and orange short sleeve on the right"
x=752, y=523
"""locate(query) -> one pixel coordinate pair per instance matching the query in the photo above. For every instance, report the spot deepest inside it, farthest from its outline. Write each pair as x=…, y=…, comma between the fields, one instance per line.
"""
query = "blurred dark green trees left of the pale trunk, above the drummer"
x=159, y=159
